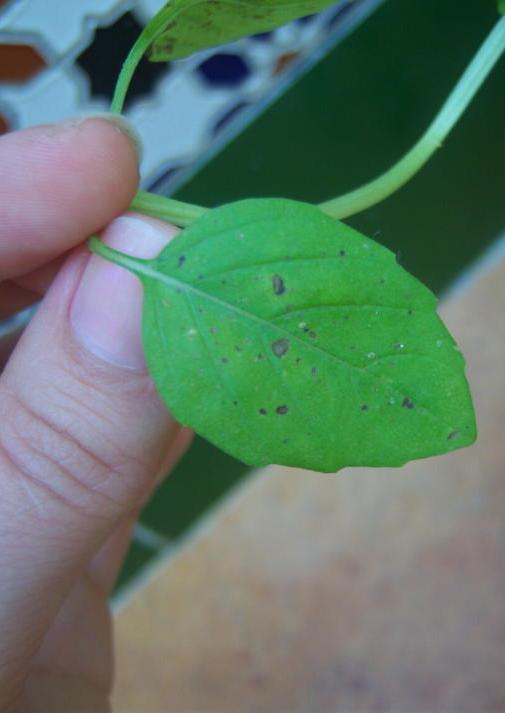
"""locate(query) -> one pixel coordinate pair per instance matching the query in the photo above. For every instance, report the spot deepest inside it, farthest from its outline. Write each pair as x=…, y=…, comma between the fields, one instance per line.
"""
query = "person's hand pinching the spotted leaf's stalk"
x=83, y=435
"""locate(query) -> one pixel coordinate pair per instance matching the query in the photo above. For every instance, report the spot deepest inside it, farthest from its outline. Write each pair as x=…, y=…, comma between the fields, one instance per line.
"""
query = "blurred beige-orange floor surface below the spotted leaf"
x=376, y=590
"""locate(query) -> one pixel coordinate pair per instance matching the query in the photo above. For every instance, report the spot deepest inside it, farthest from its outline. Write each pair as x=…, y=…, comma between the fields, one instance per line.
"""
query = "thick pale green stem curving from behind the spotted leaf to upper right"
x=389, y=182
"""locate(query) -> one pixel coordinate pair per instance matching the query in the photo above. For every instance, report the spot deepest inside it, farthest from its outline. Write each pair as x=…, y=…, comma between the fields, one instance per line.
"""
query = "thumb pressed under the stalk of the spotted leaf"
x=83, y=434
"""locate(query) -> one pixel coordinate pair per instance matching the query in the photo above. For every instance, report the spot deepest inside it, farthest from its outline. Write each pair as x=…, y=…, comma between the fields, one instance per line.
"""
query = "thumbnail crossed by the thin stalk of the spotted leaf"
x=106, y=312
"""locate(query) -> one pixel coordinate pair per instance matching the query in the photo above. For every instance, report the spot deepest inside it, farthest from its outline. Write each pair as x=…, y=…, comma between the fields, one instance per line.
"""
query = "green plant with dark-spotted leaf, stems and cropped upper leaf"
x=293, y=338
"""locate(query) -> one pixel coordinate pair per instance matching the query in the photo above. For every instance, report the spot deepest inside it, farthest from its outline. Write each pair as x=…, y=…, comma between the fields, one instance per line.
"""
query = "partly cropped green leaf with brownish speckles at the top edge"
x=186, y=26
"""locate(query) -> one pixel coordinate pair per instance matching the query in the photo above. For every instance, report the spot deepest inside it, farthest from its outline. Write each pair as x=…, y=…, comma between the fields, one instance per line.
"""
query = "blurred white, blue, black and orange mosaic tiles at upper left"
x=61, y=58
